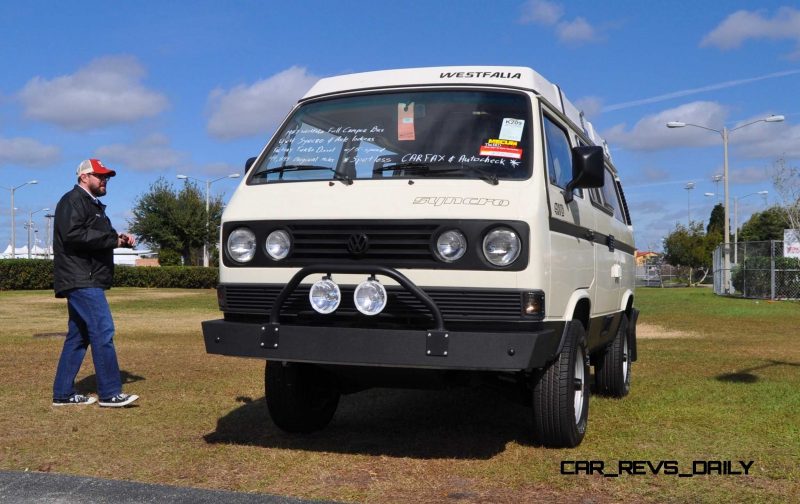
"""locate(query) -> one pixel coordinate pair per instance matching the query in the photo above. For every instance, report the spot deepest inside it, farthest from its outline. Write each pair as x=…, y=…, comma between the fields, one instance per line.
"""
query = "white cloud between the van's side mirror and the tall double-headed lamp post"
x=651, y=132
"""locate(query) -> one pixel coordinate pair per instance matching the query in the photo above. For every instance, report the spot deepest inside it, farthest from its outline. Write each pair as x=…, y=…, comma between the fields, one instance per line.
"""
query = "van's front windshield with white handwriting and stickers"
x=461, y=134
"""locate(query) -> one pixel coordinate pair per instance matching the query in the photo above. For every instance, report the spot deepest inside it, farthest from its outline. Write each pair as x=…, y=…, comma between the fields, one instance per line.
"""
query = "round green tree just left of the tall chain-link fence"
x=690, y=247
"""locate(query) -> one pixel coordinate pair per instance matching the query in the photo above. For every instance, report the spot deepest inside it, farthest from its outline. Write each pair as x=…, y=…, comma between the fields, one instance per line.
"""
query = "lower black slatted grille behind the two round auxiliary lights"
x=455, y=304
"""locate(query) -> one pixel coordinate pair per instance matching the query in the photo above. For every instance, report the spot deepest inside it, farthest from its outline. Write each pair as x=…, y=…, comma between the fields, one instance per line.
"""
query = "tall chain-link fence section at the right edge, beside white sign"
x=757, y=270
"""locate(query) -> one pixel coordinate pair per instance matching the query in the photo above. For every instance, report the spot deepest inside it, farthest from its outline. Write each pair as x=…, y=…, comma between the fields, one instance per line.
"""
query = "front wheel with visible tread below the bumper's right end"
x=561, y=394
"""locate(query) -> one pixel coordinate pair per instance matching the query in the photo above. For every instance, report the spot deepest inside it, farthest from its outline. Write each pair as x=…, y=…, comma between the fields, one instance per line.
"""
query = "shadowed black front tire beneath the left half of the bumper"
x=300, y=397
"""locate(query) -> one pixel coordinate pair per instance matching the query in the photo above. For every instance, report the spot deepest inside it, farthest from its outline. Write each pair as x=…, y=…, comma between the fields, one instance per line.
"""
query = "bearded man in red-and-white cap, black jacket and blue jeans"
x=83, y=246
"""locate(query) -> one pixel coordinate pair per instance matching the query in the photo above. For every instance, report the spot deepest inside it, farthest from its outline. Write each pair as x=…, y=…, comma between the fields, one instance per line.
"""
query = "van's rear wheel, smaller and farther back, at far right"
x=612, y=367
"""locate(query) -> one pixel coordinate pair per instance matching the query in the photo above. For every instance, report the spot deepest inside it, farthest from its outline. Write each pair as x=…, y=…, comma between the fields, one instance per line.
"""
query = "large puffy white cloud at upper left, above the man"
x=106, y=91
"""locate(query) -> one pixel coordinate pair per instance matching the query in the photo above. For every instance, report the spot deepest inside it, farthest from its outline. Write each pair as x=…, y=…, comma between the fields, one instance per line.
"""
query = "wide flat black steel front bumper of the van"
x=382, y=347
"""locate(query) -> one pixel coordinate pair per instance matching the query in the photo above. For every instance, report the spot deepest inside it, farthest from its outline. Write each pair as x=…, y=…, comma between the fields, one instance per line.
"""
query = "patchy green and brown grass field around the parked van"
x=717, y=379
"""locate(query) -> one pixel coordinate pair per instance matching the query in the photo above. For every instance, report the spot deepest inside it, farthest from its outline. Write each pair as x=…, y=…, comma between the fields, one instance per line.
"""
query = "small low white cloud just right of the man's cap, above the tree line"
x=147, y=155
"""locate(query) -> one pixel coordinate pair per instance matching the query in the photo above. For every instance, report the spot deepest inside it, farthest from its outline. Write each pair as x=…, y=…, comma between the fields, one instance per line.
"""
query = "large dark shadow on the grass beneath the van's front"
x=461, y=423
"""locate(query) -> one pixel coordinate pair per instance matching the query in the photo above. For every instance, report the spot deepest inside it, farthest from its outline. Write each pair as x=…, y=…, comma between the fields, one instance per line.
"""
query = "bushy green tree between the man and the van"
x=174, y=222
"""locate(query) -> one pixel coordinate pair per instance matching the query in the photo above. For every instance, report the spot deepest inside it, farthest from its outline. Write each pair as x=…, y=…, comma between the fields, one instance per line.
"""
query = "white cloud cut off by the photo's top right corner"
x=746, y=25
